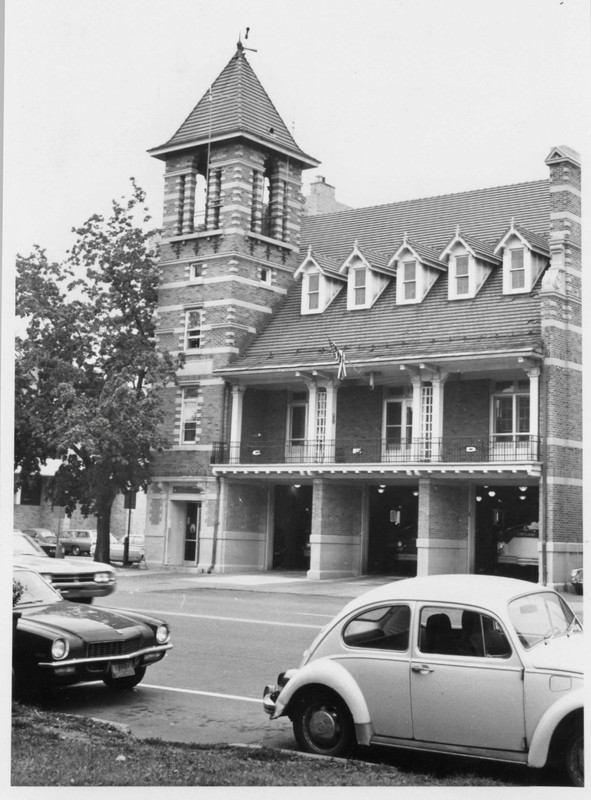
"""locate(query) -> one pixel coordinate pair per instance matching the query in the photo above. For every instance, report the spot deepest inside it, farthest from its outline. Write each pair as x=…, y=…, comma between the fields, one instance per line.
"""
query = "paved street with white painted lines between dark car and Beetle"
x=231, y=635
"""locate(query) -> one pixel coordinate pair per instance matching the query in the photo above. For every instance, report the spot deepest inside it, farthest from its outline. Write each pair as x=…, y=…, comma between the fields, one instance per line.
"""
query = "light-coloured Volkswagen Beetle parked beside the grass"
x=468, y=664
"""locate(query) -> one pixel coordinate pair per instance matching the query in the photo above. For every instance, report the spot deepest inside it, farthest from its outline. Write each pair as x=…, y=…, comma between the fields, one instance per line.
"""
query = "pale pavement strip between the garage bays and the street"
x=163, y=579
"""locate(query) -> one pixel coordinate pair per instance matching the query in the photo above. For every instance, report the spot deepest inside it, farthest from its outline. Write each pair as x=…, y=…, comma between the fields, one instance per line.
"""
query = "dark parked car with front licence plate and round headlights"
x=58, y=643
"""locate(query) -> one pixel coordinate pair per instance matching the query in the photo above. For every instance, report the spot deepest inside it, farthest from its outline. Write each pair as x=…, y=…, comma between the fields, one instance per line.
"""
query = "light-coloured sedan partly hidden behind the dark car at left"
x=74, y=579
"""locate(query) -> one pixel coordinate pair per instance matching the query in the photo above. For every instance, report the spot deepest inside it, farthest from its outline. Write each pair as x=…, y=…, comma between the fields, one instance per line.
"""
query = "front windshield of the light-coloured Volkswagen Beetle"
x=540, y=616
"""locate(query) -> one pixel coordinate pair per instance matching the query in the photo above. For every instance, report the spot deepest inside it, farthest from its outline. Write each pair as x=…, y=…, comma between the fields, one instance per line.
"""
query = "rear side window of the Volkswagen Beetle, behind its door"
x=384, y=628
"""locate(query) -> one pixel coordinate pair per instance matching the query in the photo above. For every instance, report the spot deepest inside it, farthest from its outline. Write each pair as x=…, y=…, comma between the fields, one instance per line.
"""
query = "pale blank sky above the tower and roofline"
x=398, y=99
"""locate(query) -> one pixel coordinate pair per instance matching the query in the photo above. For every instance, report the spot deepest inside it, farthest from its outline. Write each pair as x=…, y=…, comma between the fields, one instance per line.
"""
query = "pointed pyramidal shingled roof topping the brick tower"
x=234, y=106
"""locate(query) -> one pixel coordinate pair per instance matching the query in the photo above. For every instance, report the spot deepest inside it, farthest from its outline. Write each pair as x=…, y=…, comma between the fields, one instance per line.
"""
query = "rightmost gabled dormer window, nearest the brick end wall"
x=525, y=255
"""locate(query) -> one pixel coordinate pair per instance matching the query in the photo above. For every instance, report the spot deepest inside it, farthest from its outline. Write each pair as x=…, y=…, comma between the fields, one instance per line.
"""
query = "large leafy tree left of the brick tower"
x=88, y=369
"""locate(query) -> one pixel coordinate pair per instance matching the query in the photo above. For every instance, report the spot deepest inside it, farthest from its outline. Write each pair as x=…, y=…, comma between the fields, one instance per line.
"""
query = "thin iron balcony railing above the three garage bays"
x=464, y=449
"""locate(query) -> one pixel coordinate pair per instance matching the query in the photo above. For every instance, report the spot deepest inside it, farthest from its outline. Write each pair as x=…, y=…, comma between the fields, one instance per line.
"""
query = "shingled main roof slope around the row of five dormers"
x=489, y=322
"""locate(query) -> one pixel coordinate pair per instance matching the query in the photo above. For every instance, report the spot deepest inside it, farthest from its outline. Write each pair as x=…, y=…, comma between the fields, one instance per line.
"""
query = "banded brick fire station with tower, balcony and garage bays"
x=375, y=390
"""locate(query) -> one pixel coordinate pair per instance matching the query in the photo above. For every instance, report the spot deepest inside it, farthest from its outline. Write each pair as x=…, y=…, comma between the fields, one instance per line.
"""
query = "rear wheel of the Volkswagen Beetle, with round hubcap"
x=322, y=724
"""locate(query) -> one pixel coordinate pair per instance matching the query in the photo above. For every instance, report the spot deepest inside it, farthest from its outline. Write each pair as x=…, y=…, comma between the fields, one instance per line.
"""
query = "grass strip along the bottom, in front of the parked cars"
x=51, y=749
